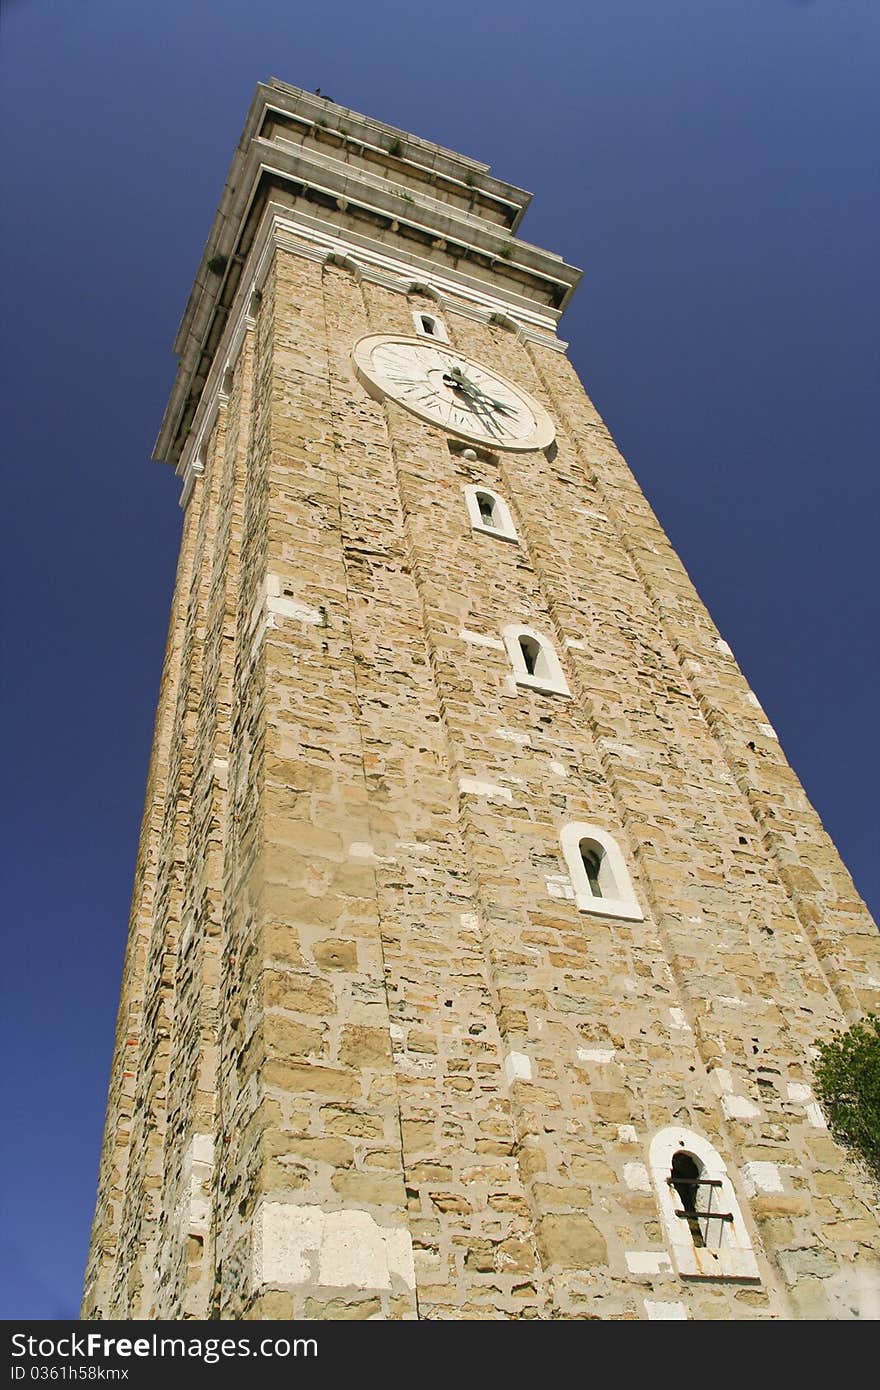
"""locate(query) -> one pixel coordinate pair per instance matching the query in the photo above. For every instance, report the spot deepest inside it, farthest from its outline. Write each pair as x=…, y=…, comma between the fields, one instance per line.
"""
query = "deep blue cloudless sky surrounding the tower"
x=711, y=165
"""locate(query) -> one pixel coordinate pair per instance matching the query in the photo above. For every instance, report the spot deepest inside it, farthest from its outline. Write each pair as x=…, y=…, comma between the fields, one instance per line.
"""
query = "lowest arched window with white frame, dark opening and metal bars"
x=699, y=1206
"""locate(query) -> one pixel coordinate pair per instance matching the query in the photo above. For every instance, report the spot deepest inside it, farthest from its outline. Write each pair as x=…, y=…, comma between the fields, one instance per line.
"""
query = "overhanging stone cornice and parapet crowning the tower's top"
x=343, y=184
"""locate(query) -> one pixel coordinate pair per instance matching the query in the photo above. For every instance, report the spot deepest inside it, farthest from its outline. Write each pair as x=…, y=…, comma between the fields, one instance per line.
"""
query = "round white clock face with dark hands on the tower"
x=451, y=391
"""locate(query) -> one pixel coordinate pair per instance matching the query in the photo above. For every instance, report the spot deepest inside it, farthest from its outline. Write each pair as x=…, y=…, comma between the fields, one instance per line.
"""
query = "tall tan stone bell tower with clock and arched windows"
x=482, y=932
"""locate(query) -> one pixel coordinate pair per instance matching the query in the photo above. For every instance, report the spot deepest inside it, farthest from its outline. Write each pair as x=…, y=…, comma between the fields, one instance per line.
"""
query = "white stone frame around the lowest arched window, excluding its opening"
x=729, y=1253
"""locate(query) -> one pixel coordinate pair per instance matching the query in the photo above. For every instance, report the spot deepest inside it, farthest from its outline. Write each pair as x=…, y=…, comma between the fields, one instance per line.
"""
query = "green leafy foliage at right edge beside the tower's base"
x=849, y=1088
